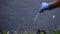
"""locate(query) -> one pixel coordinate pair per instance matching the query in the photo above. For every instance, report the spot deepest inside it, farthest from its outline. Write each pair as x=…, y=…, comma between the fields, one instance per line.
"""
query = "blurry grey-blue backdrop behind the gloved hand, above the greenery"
x=18, y=15
